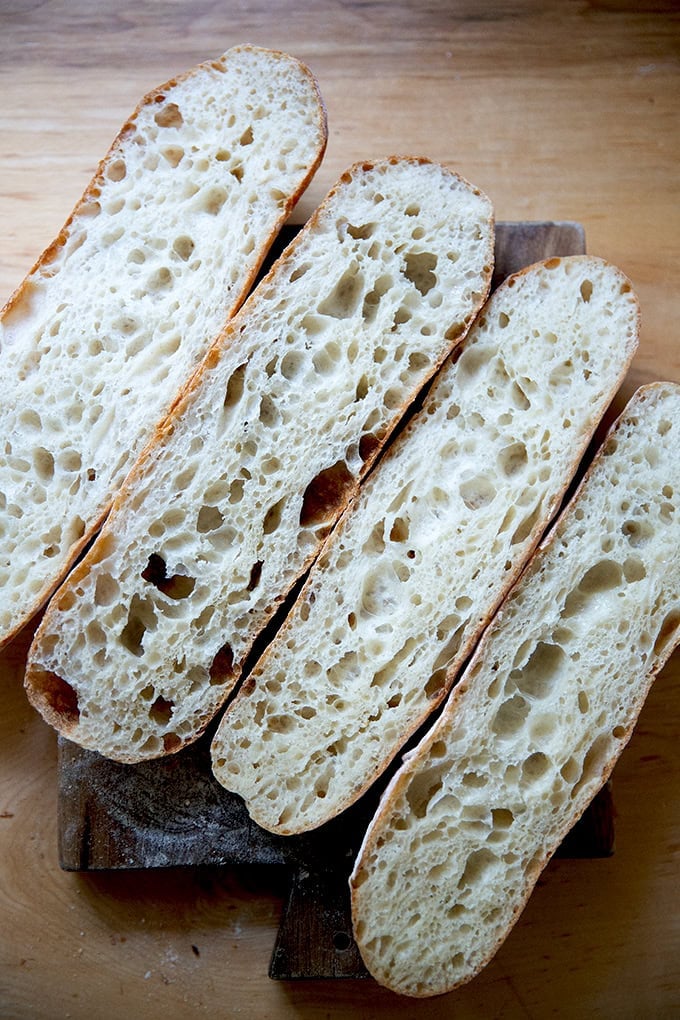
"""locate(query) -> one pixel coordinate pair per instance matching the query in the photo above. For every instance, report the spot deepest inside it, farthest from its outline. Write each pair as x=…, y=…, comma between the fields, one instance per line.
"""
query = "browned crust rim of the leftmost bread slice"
x=91, y=193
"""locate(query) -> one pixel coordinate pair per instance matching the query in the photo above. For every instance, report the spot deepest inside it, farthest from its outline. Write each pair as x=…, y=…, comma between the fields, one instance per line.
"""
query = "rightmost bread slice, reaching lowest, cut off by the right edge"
x=535, y=728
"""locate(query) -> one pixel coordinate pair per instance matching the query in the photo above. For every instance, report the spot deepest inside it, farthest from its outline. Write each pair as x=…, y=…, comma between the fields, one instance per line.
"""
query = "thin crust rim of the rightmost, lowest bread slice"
x=420, y=754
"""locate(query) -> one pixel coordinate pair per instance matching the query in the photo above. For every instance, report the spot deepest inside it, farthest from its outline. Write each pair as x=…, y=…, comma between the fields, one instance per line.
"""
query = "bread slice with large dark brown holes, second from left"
x=231, y=503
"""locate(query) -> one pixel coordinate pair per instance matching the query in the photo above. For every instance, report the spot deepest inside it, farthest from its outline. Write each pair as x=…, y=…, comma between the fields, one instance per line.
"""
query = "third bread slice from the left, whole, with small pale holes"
x=439, y=534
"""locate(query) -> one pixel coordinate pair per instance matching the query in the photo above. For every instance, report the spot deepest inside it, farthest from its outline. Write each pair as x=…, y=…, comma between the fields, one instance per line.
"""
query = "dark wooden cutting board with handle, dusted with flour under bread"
x=173, y=812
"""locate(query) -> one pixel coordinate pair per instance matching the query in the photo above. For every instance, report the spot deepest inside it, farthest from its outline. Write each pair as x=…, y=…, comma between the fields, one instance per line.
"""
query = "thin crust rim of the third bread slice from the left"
x=466, y=648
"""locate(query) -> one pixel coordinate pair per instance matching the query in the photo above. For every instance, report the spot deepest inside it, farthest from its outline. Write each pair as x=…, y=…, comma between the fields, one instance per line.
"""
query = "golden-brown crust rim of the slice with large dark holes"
x=230, y=336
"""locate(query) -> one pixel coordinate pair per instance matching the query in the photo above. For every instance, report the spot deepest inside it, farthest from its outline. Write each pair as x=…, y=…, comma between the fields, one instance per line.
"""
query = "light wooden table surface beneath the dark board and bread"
x=570, y=112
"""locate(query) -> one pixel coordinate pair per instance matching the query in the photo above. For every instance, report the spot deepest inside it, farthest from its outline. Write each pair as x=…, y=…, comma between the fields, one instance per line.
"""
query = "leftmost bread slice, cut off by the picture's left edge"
x=119, y=312
